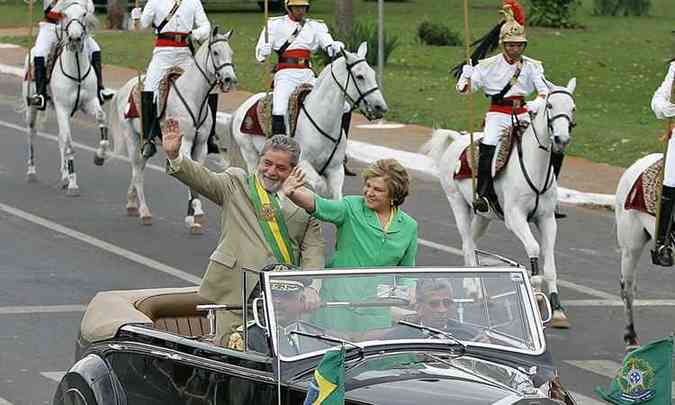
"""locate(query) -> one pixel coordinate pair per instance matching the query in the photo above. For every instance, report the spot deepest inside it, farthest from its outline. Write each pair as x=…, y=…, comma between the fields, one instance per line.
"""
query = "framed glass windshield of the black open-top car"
x=315, y=311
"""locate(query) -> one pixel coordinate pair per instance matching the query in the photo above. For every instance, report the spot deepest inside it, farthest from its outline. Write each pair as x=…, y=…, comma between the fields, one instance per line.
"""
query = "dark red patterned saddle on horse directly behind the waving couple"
x=258, y=118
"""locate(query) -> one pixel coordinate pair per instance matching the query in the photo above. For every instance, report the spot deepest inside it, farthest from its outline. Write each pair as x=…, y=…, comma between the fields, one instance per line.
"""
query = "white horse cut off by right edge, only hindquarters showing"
x=634, y=229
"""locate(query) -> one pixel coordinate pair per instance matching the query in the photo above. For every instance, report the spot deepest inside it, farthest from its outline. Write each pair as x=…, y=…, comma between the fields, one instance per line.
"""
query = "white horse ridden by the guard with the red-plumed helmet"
x=526, y=188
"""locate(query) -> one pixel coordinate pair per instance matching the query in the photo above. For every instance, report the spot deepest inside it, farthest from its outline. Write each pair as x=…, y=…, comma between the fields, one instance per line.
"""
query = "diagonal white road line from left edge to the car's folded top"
x=109, y=247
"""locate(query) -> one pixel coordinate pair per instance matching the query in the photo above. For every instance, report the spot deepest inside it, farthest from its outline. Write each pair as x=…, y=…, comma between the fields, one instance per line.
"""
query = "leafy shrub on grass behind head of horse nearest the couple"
x=364, y=32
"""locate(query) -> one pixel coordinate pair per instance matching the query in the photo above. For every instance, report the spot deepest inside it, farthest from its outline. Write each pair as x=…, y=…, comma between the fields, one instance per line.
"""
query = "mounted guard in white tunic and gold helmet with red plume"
x=506, y=78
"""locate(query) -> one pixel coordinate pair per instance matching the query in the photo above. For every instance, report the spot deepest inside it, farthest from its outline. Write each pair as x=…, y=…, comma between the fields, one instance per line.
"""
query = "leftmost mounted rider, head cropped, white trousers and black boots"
x=47, y=38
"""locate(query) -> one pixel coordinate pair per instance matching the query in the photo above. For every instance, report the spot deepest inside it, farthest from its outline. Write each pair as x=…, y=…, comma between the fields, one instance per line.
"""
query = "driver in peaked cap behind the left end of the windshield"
x=288, y=297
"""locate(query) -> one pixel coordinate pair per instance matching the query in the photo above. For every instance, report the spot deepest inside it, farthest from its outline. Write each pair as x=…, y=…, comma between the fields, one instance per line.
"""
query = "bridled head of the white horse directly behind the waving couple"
x=359, y=83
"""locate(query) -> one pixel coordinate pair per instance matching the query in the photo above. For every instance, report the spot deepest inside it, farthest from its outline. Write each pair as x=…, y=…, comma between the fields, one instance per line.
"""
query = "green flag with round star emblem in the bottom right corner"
x=645, y=378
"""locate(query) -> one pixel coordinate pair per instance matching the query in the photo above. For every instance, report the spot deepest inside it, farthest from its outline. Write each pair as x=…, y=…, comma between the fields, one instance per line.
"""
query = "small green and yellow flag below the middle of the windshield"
x=328, y=385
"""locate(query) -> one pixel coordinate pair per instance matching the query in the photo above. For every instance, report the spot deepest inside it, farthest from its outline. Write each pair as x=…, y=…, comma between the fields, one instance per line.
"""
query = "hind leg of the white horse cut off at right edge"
x=632, y=239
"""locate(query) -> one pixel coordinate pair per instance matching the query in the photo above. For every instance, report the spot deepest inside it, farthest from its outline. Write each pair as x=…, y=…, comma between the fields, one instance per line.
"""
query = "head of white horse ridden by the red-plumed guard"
x=560, y=111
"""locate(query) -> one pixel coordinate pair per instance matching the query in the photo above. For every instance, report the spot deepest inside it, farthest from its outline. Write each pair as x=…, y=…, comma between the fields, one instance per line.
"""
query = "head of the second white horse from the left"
x=218, y=63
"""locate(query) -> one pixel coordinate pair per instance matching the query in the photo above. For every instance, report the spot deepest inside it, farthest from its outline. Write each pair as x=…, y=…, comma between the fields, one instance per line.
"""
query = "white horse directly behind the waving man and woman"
x=348, y=78
